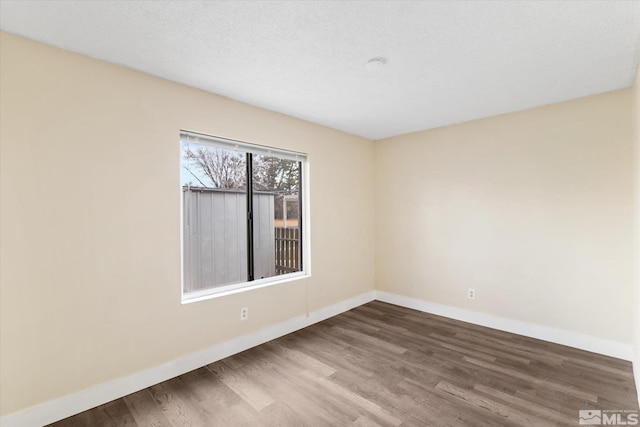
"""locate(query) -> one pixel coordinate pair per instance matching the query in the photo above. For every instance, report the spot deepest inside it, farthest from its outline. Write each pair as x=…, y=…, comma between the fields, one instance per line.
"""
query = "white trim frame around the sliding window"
x=234, y=288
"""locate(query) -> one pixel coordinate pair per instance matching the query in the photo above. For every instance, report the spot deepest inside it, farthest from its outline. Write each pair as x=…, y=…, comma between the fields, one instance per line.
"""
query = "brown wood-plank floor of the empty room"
x=383, y=365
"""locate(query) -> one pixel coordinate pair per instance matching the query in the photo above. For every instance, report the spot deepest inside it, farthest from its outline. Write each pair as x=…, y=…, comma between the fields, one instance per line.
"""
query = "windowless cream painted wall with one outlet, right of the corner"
x=532, y=209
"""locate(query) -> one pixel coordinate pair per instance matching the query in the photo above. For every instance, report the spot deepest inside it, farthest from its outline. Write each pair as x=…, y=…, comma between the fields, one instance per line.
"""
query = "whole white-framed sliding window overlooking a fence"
x=242, y=215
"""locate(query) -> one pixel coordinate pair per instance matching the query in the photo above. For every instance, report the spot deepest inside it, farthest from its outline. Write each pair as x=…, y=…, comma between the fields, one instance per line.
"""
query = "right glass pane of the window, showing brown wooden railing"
x=276, y=216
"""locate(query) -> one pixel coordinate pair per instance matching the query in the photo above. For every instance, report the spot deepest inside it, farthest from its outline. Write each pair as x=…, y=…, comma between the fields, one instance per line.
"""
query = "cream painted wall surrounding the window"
x=90, y=222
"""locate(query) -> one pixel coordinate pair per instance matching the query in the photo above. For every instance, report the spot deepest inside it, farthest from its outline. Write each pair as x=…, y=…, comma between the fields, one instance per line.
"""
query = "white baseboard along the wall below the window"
x=66, y=406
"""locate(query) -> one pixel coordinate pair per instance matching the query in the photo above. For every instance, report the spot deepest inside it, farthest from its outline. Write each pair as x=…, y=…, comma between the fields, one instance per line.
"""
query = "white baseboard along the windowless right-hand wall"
x=532, y=330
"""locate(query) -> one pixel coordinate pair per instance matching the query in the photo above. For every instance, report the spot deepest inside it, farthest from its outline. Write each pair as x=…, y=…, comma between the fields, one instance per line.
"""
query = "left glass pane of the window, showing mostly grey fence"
x=215, y=226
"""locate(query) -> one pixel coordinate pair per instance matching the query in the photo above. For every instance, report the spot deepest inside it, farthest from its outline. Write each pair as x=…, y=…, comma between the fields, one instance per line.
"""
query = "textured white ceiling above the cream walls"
x=447, y=61
